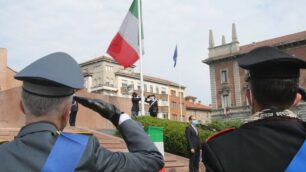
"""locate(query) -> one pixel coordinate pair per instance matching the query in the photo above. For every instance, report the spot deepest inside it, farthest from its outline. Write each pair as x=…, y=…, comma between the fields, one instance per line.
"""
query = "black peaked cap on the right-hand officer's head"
x=270, y=62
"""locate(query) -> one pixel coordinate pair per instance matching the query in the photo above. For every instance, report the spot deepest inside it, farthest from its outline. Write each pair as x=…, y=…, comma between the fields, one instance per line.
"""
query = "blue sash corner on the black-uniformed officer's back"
x=298, y=163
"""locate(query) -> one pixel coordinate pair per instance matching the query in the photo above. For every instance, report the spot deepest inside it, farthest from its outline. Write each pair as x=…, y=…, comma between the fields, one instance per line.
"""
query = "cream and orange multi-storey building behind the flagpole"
x=105, y=76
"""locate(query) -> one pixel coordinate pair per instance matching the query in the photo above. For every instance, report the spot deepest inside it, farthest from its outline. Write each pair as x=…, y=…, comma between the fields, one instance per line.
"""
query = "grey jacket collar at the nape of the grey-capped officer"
x=38, y=127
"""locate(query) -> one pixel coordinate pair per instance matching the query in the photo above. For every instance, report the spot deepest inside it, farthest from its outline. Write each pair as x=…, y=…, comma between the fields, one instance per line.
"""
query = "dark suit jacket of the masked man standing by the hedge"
x=193, y=139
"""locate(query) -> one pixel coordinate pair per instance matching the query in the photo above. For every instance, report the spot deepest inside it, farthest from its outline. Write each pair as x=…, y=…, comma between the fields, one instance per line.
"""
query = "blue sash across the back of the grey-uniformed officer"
x=66, y=153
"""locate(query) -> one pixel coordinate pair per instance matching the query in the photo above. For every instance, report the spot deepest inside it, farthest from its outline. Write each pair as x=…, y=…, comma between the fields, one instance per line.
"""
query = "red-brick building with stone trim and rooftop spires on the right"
x=227, y=78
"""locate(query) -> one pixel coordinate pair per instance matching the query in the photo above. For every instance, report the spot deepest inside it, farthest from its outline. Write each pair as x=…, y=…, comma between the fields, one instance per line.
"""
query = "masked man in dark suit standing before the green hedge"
x=193, y=144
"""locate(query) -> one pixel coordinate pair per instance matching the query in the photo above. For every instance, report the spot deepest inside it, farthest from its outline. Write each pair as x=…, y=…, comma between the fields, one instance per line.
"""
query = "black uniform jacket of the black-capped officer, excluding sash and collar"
x=264, y=145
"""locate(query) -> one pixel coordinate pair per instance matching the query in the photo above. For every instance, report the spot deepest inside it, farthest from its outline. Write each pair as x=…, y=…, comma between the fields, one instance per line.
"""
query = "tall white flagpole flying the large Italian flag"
x=140, y=56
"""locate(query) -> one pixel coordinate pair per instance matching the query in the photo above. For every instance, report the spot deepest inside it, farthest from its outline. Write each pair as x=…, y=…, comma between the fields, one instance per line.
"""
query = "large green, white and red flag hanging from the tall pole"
x=124, y=47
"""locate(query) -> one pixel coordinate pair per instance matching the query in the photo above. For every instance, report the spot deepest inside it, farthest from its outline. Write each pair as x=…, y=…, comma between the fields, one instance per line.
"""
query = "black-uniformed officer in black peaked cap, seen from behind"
x=274, y=138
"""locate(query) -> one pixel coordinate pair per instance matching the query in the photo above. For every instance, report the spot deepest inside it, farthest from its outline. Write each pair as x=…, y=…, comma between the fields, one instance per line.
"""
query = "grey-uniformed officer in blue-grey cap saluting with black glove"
x=47, y=92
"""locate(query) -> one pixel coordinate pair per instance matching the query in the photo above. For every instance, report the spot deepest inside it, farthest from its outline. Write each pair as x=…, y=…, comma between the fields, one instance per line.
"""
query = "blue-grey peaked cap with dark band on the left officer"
x=55, y=75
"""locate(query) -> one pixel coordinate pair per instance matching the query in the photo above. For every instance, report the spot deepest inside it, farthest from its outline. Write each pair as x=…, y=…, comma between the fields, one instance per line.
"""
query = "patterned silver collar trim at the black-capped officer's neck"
x=268, y=113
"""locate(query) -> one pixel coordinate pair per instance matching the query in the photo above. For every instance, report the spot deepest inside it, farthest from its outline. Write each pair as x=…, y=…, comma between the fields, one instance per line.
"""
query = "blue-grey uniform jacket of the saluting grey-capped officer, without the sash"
x=29, y=151
